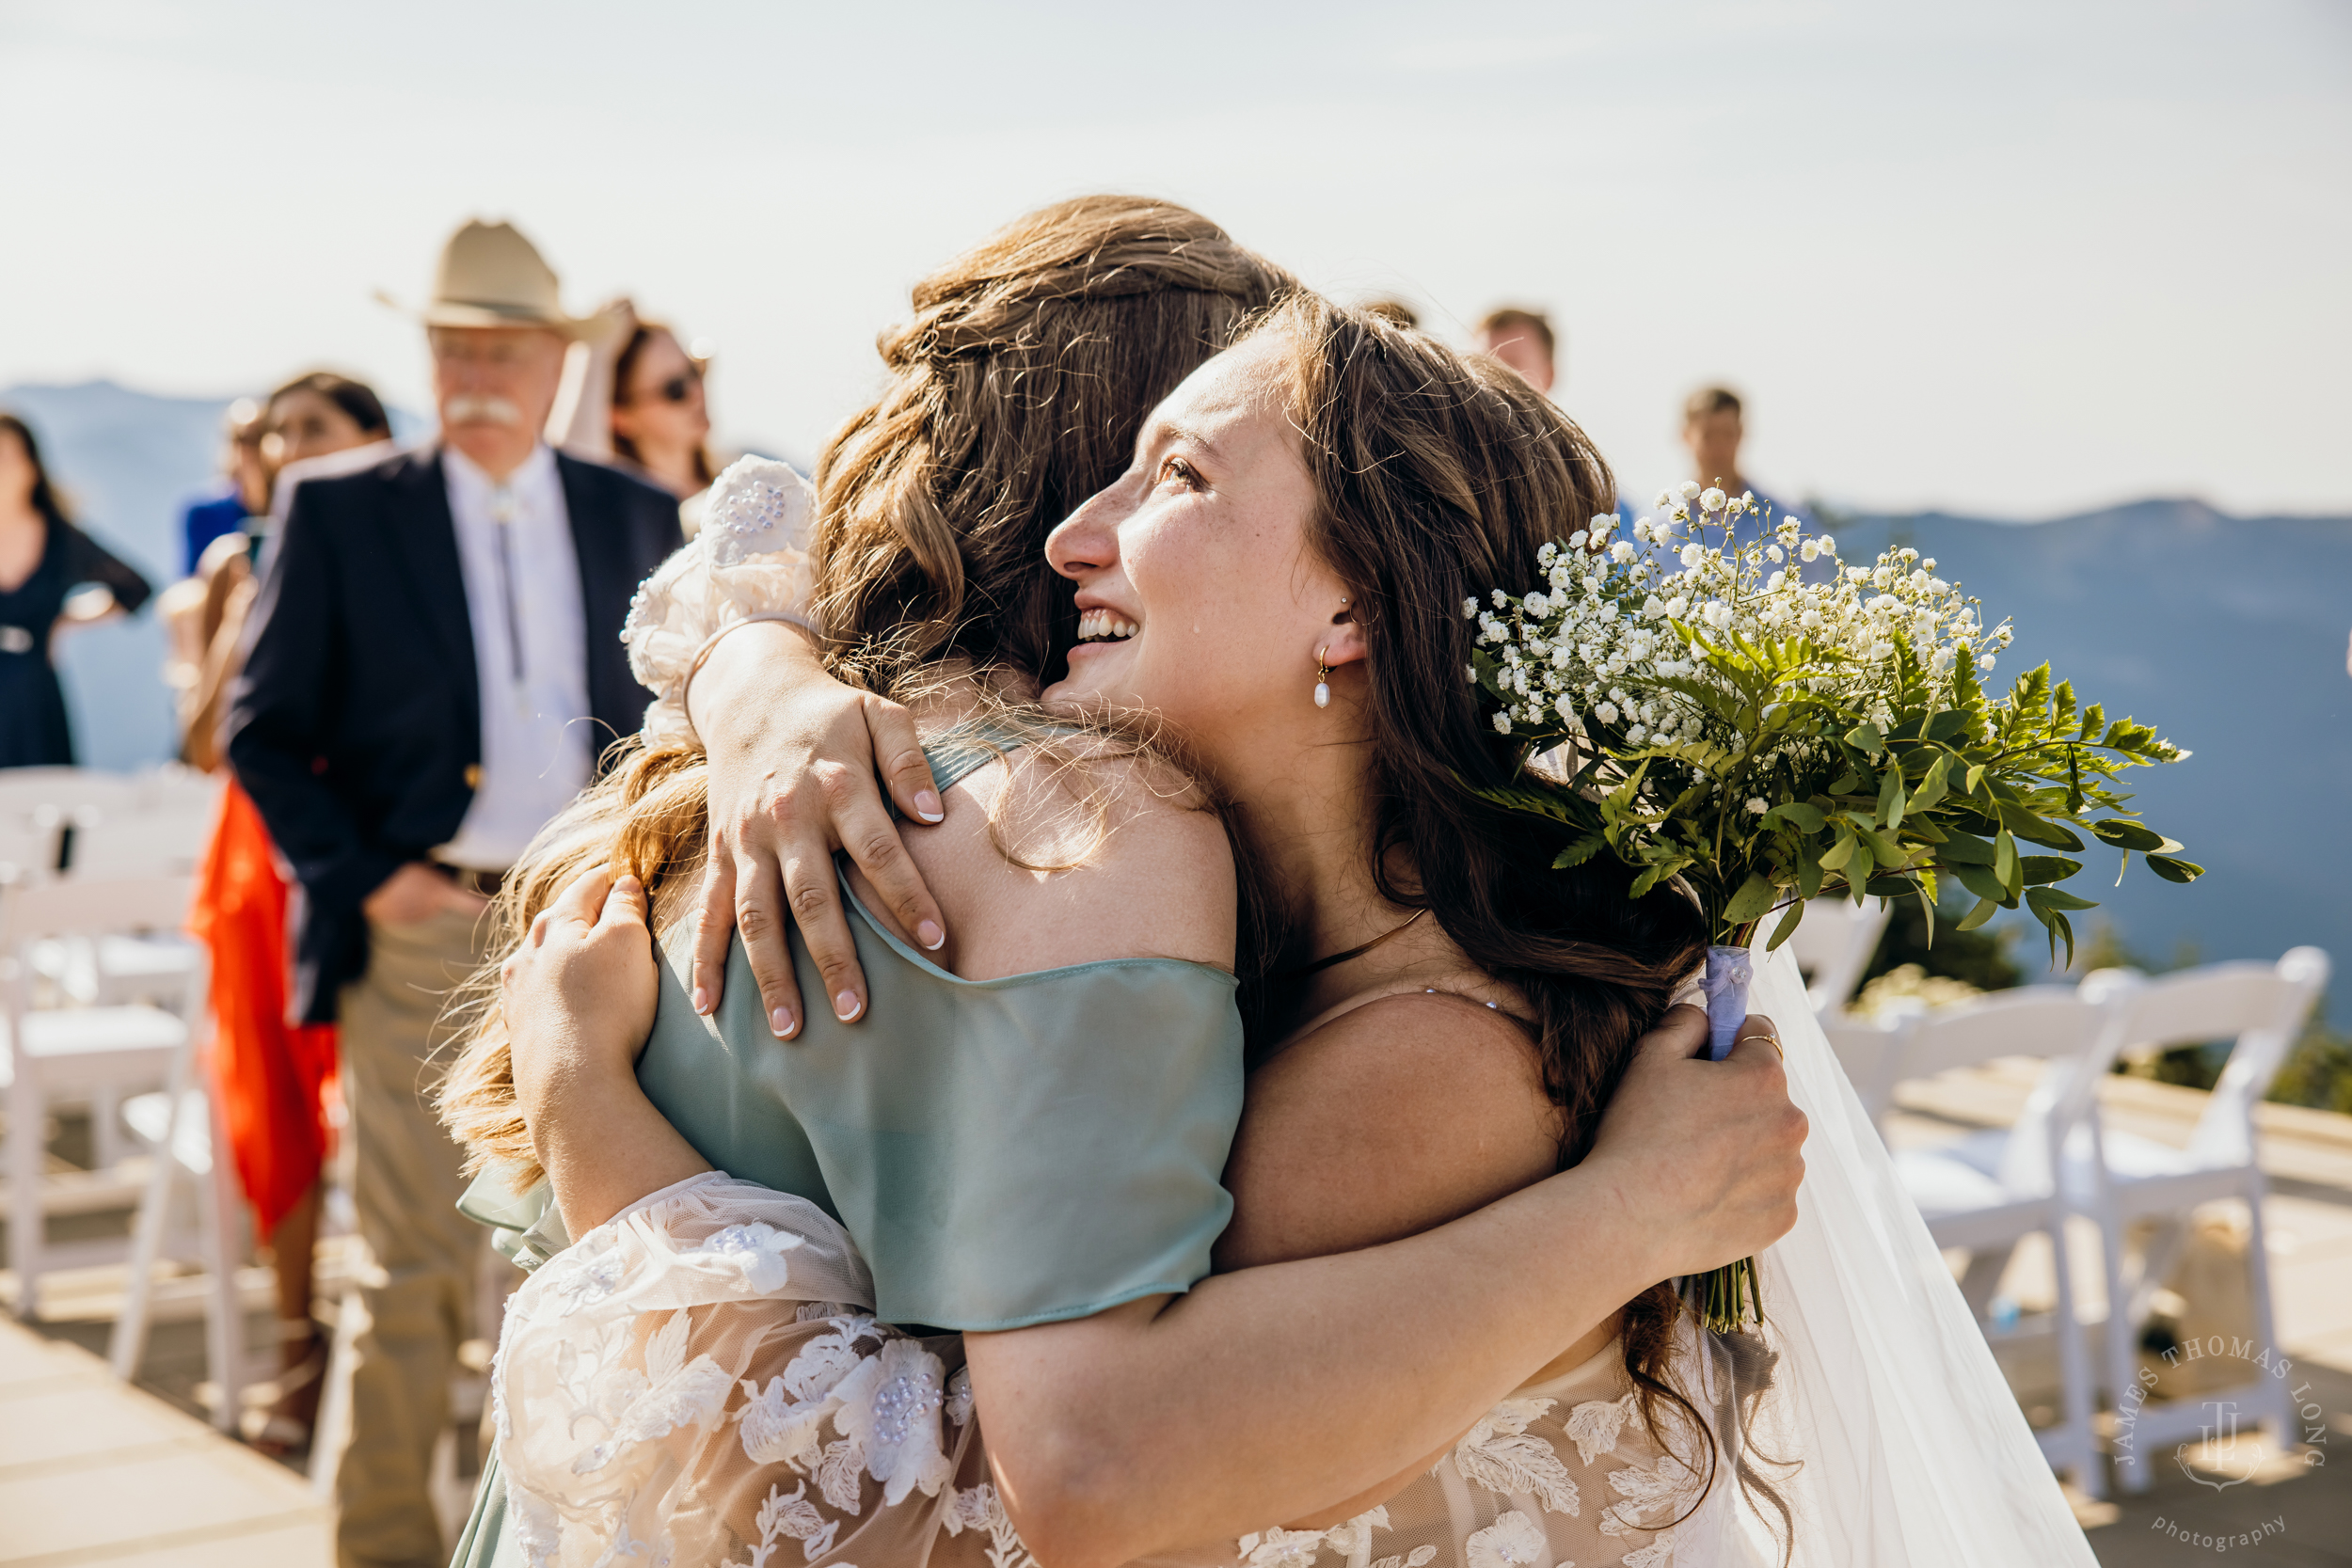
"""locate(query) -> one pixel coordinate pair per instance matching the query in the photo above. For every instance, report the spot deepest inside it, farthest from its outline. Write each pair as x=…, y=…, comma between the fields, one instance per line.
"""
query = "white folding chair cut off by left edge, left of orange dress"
x=91, y=1054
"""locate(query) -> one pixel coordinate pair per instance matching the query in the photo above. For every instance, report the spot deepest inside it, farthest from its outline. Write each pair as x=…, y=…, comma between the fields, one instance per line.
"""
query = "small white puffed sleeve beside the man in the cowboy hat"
x=749, y=561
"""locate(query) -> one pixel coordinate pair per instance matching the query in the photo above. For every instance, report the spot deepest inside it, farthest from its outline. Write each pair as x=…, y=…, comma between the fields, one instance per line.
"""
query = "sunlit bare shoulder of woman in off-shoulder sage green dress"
x=1067, y=855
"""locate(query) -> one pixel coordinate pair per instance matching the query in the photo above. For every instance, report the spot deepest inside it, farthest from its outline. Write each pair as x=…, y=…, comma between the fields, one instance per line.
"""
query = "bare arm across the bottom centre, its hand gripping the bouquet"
x=1292, y=1388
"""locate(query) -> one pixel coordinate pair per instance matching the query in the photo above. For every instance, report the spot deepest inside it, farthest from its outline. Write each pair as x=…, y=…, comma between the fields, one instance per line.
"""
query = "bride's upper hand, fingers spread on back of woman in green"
x=794, y=758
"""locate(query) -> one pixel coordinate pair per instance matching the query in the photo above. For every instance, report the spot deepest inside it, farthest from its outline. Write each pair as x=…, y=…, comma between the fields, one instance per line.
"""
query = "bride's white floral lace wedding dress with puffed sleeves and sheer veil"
x=702, y=1374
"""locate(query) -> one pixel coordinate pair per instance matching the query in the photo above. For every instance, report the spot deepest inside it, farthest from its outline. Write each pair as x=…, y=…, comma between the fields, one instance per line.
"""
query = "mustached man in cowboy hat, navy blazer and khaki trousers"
x=434, y=669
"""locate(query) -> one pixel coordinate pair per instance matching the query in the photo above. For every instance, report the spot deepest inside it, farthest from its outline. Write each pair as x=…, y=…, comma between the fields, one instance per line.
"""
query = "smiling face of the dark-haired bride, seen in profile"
x=1198, y=594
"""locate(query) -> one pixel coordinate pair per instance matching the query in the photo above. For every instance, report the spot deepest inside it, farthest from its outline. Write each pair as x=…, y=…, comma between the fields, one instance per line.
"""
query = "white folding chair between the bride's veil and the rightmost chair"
x=1996, y=1188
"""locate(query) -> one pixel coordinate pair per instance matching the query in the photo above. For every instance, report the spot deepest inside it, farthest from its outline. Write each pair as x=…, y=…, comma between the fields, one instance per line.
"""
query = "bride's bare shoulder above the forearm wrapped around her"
x=1394, y=1118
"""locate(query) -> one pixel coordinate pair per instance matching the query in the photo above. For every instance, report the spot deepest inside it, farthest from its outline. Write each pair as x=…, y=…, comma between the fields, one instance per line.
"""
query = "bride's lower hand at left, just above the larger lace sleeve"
x=580, y=993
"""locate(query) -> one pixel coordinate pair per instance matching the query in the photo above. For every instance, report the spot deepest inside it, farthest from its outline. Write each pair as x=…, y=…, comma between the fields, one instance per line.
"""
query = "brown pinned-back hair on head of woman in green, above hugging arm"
x=1017, y=391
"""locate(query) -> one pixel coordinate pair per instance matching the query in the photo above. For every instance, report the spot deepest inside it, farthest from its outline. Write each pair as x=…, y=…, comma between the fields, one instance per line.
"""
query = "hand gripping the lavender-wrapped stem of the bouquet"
x=1706, y=1155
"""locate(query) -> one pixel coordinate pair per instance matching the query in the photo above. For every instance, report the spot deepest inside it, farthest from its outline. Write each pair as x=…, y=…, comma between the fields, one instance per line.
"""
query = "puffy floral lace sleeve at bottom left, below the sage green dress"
x=702, y=1381
